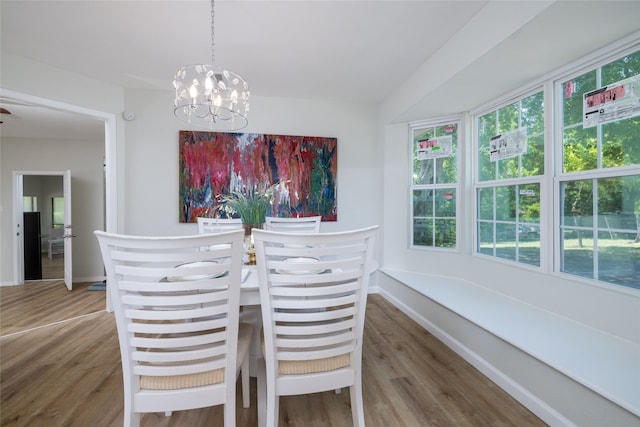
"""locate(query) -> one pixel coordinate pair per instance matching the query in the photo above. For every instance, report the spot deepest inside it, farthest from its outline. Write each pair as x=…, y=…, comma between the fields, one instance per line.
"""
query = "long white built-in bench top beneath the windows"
x=608, y=365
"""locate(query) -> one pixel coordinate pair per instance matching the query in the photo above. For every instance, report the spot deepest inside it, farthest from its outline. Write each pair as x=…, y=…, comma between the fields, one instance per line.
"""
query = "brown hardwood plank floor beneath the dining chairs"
x=68, y=374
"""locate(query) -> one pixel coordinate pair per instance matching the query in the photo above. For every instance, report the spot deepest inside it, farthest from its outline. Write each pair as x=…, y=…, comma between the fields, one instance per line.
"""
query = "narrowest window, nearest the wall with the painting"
x=434, y=184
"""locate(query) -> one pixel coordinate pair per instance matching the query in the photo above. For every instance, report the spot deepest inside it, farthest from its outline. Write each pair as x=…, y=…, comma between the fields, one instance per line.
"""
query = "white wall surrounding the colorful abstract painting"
x=151, y=157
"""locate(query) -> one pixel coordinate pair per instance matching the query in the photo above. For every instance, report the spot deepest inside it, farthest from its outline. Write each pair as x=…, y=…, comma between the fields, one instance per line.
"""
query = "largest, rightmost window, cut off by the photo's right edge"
x=599, y=181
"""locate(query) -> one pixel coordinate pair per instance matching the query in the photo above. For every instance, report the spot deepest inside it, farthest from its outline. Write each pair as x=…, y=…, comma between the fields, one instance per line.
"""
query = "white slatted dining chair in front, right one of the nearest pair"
x=313, y=294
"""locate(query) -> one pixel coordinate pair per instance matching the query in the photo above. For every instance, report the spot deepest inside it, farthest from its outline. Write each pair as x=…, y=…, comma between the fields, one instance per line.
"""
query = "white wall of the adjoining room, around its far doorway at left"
x=85, y=160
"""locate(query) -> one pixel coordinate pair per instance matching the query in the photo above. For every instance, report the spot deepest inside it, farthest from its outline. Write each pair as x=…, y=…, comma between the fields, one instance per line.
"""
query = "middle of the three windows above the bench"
x=510, y=168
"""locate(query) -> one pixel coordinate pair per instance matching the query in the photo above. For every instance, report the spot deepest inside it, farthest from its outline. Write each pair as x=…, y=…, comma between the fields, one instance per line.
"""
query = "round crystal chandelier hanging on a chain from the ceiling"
x=211, y=97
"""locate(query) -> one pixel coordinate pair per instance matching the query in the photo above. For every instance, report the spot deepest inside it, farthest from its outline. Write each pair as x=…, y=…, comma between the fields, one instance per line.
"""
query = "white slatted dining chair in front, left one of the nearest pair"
x=177, y=309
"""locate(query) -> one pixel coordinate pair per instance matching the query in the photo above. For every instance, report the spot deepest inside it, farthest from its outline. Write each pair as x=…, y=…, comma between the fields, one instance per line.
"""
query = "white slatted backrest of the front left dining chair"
x=176, y=306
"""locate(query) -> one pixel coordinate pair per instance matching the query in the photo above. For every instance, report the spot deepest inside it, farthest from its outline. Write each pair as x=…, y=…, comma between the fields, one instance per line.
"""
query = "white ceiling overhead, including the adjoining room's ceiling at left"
x=369, y=51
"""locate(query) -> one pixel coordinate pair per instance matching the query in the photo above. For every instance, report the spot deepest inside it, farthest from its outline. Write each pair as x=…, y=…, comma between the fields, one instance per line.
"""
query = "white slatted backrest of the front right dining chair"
x=313, y=290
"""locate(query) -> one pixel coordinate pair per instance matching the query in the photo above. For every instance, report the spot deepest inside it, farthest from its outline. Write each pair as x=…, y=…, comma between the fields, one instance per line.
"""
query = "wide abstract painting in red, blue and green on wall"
x=302, y=169
